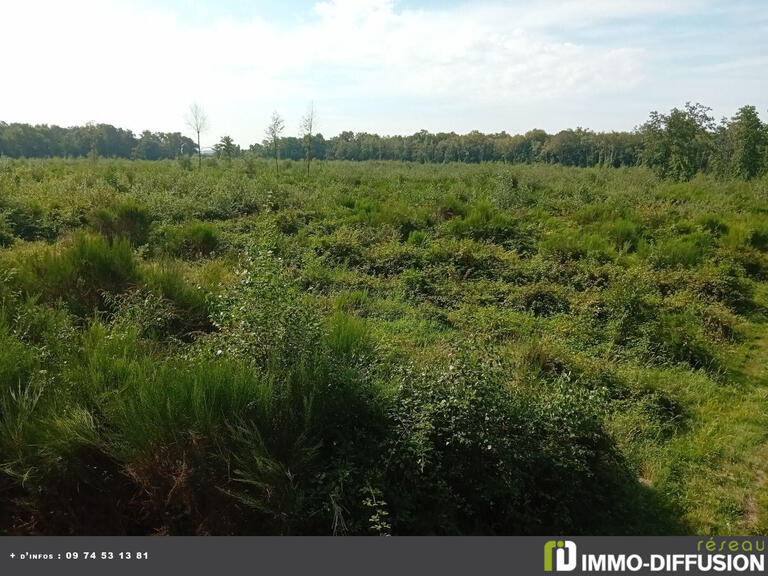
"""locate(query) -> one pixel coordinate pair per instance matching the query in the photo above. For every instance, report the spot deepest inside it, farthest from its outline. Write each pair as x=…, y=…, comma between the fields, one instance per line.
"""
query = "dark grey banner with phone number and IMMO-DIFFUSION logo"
x=421, y=556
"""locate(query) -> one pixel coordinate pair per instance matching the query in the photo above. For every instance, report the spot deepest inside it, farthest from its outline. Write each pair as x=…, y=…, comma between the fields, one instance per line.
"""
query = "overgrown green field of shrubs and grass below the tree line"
x=380, y=348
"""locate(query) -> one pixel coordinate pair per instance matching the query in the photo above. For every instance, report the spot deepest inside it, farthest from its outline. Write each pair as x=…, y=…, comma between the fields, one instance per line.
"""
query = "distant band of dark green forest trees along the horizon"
x=676, y=145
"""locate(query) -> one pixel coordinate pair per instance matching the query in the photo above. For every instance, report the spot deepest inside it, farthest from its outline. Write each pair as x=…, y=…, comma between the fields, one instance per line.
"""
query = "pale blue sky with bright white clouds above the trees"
x=384, y=66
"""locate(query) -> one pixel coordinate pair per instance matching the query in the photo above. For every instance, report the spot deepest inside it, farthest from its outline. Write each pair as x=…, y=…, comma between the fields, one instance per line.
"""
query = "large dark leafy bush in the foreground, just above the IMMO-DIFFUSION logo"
x=476, y=456
